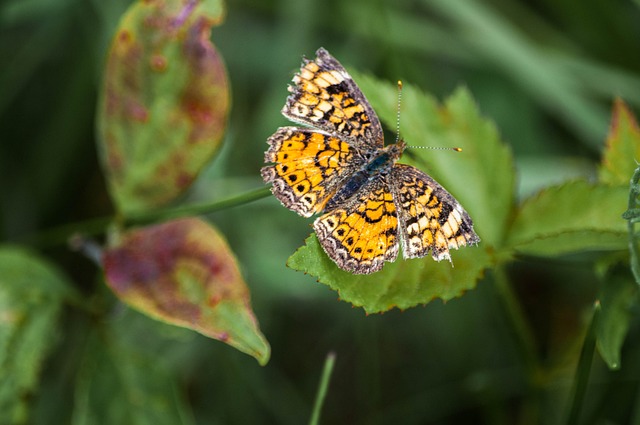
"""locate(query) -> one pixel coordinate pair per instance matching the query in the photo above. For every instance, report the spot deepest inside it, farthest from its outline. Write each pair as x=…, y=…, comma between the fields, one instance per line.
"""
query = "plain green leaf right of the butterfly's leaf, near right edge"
x=575, y=216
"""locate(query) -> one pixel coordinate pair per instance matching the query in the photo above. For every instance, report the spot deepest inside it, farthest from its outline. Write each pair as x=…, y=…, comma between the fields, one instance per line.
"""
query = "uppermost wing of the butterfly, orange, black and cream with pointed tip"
x=325, y=96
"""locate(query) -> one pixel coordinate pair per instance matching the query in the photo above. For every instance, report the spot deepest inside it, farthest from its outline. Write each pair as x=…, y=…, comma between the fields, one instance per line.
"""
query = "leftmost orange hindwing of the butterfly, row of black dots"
x=309, y=166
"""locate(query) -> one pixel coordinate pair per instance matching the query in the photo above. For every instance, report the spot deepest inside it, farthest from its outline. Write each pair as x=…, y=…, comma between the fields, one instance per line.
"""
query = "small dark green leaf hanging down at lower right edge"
x=616, y=298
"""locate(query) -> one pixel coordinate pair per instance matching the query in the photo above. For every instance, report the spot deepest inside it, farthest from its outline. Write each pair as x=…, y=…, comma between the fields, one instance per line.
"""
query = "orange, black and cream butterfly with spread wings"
x=338, y=166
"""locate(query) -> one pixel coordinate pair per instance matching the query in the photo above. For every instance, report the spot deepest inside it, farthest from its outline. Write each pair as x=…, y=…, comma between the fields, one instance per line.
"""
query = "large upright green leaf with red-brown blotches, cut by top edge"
x=163, y=103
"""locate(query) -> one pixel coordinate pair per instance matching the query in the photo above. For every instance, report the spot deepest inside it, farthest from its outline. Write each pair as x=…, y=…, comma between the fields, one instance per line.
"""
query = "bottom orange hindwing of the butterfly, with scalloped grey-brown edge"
x=362, y=234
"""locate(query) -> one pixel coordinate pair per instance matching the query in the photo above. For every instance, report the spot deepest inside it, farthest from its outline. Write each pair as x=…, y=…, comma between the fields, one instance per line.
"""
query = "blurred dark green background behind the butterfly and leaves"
x=546, y=71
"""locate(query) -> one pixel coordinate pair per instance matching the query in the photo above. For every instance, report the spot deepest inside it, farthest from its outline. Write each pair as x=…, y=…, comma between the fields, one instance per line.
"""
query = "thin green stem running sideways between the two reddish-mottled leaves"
x=61, y=234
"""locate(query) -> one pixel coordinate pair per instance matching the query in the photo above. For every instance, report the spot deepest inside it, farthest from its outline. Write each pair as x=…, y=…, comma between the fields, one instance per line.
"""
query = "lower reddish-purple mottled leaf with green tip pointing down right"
x=182, y=272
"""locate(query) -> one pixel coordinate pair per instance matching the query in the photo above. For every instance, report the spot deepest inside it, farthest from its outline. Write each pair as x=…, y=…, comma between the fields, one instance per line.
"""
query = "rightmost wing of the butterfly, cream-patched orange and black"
x=431, y=219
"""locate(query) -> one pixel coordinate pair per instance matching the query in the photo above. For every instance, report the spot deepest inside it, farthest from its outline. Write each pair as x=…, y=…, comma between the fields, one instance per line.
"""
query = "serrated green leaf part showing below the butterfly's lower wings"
x=402, y=284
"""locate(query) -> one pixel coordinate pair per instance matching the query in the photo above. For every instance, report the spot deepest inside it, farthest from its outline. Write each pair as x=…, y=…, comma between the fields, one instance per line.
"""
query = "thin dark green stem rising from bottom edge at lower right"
x=583, y=370
